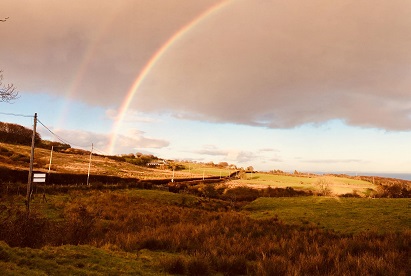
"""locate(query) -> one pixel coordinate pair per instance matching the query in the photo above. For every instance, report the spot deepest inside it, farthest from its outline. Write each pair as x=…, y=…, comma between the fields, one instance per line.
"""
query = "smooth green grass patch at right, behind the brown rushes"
x=347, y=215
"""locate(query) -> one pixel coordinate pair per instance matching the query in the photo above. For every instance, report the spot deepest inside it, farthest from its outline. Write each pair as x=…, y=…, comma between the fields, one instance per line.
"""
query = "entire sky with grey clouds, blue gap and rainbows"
x=313, y=86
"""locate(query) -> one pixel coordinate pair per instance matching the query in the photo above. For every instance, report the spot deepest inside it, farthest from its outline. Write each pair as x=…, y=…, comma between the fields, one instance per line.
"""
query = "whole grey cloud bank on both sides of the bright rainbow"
x=275, y=64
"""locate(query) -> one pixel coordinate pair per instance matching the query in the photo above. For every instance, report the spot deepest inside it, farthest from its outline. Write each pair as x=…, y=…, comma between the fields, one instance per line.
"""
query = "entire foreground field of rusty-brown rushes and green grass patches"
x=149, y=232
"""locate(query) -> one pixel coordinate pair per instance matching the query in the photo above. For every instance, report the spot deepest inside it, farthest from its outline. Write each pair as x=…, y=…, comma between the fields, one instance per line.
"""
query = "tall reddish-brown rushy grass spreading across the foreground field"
x=207, y=242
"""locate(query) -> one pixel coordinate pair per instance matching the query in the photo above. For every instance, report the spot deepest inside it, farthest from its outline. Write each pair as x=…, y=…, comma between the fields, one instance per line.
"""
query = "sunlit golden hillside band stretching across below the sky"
x=75, y=161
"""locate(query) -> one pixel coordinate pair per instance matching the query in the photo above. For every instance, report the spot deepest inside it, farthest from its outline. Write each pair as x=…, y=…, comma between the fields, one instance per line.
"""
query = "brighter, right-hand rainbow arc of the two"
x=152, y=62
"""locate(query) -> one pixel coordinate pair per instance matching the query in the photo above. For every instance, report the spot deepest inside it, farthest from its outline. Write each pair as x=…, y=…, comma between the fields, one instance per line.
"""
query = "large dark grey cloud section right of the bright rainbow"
x=282, y=64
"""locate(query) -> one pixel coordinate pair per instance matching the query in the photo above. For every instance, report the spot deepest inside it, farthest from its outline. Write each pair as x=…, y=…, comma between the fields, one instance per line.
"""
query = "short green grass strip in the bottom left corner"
x=78, y=260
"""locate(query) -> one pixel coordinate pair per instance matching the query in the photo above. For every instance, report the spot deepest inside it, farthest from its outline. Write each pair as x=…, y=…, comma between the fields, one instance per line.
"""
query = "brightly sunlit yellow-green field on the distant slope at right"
x=337, y=185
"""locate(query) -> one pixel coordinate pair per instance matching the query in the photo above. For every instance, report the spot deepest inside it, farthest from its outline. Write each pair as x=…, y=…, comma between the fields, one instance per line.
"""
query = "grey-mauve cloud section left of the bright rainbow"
x=90, y=50
